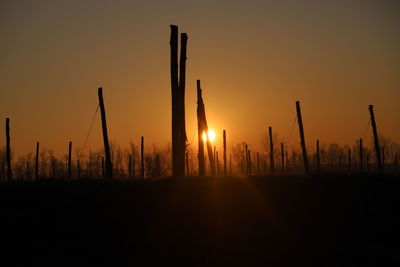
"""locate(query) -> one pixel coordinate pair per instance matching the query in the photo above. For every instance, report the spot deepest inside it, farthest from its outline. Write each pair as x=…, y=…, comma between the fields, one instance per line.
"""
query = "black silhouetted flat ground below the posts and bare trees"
x=266, y=221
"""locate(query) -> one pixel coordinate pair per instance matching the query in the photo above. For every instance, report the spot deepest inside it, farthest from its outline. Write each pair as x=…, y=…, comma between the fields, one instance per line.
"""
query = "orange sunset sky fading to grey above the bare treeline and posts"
x=254, y=59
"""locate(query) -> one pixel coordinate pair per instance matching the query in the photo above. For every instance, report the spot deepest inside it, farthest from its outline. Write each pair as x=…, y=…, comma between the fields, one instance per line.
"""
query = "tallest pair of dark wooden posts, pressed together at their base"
x=178, y=102
